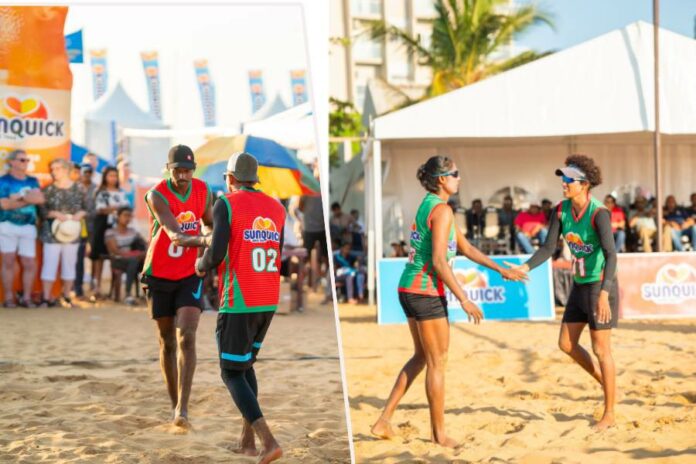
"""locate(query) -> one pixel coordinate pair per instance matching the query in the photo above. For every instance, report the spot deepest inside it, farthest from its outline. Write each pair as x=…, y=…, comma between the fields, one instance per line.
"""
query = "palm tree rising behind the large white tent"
x=467, y=39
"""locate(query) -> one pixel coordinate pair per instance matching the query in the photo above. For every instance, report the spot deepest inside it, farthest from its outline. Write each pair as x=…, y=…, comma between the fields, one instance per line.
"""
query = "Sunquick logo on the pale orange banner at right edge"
x=674, y=284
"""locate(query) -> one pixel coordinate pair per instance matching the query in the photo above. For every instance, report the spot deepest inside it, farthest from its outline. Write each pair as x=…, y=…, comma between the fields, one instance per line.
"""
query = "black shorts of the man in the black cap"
x=166, y=296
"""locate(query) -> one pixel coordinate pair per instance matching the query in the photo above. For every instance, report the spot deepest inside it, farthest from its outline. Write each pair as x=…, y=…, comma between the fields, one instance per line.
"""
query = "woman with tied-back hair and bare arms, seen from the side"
x=434, y=242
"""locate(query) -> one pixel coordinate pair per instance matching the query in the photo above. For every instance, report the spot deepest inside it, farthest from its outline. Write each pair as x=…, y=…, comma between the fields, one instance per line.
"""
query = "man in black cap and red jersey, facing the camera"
x=177, y=206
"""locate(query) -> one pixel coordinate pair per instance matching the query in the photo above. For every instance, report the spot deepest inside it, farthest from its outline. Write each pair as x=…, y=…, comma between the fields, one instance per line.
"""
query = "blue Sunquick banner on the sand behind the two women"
x=498, y=299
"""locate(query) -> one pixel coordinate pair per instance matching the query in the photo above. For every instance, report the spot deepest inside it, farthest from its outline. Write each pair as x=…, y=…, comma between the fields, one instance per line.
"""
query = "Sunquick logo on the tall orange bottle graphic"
x=27, y=116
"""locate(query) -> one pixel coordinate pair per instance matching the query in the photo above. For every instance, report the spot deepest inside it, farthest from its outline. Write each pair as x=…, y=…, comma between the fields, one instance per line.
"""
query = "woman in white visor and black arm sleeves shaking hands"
x=585, y=224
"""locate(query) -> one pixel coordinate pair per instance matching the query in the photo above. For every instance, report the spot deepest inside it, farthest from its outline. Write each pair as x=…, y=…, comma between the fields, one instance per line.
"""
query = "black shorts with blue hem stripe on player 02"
x=240, y=336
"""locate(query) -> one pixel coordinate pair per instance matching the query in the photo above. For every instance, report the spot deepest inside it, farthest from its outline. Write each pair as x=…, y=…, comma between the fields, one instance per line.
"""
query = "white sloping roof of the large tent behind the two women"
x=604, y=85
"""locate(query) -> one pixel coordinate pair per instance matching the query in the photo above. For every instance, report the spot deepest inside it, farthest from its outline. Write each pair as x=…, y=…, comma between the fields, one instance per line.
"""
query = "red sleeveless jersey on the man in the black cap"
x=165, y=260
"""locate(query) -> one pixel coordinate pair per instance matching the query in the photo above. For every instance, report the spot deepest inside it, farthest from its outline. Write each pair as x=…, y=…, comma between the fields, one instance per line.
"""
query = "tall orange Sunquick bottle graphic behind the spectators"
x=35, y=84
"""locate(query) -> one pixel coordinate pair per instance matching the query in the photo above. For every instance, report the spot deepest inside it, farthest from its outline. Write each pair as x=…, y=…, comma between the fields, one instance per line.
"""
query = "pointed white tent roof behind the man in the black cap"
x=118, y=106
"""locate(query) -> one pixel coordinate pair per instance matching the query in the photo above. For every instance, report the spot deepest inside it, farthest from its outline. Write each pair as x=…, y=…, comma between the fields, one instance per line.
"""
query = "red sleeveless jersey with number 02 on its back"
x=250, y=274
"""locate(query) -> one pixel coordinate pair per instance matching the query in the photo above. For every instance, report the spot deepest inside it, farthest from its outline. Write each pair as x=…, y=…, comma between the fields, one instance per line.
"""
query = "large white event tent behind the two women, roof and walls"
x=517, y=127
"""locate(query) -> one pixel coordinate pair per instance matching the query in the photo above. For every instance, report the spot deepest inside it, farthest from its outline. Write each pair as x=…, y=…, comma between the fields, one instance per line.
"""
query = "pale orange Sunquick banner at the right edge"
x=657, y=285
